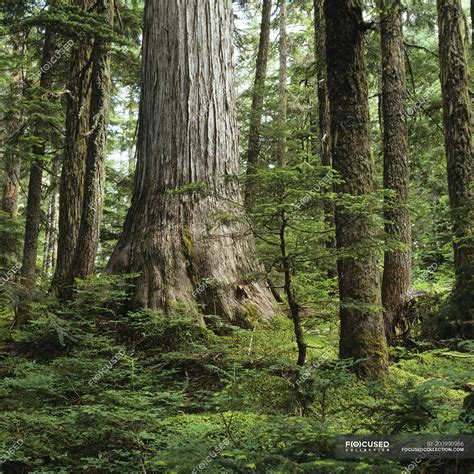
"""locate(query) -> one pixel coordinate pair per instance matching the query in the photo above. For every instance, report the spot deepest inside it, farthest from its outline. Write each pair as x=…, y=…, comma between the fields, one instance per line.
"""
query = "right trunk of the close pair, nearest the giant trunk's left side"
x=88, y=239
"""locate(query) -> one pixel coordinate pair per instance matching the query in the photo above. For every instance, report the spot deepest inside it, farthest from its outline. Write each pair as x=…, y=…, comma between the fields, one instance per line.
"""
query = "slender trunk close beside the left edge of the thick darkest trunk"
x=324, y=118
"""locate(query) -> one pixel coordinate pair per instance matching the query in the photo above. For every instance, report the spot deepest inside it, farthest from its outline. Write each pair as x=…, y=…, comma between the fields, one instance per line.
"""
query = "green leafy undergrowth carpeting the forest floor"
x=86, y=389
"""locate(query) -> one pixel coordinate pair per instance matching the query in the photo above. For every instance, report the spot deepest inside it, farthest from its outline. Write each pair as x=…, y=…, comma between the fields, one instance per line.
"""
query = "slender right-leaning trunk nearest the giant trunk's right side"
x=258, y=93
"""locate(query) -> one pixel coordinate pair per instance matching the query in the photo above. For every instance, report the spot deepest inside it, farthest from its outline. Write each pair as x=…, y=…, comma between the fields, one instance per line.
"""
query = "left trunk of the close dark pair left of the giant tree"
x=74, y=159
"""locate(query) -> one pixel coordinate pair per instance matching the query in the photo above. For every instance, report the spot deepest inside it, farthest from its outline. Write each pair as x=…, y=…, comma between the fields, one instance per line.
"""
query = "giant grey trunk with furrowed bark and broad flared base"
x=175, y=233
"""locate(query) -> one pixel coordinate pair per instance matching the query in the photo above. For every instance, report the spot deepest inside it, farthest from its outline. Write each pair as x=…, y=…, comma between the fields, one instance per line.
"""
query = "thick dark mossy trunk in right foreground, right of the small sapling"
x=362, y=331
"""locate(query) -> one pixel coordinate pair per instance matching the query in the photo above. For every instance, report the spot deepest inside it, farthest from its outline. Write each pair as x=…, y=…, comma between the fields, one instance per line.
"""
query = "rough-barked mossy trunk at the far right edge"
x=459, y=153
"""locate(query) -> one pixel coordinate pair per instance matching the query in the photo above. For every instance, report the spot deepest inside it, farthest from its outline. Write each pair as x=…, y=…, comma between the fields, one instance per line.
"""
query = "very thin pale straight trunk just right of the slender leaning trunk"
x=282, y=88
